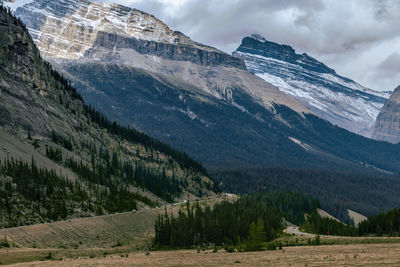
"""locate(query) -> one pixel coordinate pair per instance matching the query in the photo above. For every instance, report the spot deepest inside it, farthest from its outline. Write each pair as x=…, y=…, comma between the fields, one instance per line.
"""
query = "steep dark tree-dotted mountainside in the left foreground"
x=60, y=158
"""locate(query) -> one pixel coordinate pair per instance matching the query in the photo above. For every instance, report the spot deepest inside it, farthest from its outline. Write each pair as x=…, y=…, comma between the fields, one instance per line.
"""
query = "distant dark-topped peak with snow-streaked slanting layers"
x=337, y=99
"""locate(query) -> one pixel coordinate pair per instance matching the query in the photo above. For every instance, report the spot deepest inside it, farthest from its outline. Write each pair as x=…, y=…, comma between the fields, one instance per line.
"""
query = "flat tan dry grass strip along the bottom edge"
x=333, y=255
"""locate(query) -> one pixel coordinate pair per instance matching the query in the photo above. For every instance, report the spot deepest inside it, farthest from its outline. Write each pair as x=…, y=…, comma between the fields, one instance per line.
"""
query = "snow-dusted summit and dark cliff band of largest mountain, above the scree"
x=70, y=29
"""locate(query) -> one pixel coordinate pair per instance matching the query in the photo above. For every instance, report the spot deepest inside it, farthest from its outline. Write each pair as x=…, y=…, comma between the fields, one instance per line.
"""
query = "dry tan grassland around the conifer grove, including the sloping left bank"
x=123, y=240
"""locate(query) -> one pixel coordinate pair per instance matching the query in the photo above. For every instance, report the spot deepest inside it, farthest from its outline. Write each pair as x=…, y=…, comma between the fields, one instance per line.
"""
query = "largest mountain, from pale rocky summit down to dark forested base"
x=204, y=102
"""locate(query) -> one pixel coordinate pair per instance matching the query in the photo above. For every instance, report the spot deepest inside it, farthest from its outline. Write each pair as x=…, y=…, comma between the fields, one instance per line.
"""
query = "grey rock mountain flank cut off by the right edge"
x=387, y=127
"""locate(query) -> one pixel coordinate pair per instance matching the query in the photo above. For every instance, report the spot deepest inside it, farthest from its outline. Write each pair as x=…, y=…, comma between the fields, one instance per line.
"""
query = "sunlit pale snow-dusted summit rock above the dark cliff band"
x=74, y=26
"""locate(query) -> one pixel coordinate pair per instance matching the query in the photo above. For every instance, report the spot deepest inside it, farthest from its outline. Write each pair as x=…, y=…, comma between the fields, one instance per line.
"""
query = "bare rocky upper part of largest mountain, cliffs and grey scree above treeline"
x=81, y=31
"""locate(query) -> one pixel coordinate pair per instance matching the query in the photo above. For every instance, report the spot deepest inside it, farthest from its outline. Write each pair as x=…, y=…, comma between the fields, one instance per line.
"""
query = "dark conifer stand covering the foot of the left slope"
x=30, y=194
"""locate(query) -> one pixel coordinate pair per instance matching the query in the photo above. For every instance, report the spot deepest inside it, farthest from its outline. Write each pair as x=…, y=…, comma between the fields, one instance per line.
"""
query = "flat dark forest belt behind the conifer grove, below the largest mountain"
x=365, y=192
